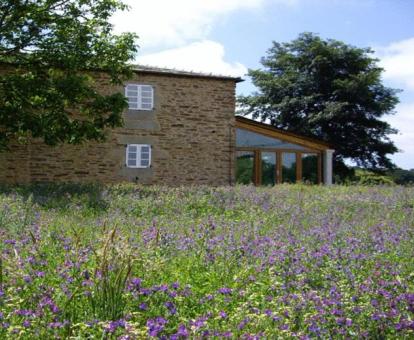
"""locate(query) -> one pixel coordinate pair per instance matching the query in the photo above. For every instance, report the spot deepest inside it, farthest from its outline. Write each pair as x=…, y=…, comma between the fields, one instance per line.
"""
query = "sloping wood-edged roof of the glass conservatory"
x=271, y=131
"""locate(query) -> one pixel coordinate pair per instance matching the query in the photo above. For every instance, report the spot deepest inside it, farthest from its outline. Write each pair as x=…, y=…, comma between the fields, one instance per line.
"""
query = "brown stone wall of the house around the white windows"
x=191, y=130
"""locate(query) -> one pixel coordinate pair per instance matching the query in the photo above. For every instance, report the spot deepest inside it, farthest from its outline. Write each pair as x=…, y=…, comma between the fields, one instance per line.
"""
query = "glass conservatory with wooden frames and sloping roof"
x=268, y=156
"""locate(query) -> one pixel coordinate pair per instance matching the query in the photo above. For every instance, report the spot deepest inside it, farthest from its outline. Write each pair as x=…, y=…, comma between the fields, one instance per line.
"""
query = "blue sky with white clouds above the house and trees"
x=230, y=36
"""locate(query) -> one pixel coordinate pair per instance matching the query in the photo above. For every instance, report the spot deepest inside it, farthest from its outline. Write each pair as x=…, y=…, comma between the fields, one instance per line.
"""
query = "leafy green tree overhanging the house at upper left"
x=51, y=52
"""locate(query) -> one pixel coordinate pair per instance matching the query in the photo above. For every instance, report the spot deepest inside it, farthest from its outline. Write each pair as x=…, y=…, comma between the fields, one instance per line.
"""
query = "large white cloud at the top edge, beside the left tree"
x=167, y=23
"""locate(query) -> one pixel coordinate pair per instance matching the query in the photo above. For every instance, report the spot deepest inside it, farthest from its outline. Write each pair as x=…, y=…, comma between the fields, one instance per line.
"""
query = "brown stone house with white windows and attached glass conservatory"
x=180, y=129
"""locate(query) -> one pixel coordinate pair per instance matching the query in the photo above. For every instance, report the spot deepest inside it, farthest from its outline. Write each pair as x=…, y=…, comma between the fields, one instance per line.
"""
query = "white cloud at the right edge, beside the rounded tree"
x=398, y=61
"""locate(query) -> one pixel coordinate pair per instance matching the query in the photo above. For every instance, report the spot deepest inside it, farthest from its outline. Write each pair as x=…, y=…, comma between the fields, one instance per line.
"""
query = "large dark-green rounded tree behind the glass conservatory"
x=329, y=90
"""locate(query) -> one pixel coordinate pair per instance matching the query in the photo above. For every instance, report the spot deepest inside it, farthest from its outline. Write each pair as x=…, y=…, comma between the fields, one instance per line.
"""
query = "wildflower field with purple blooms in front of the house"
x=131, y=262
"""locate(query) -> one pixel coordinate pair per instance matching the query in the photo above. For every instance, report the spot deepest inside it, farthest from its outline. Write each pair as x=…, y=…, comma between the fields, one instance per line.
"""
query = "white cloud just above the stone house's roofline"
x=205, y=56
